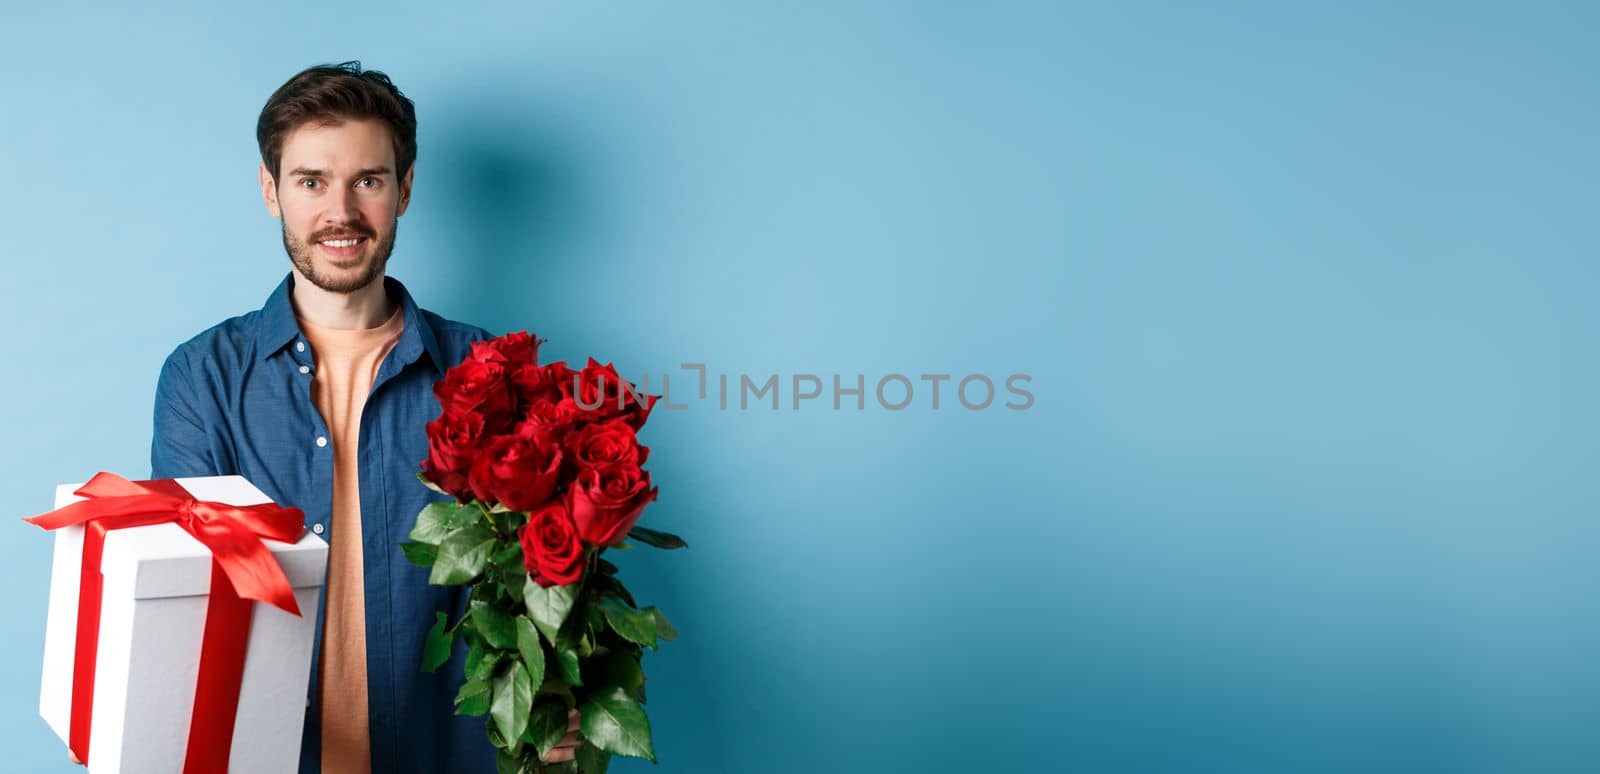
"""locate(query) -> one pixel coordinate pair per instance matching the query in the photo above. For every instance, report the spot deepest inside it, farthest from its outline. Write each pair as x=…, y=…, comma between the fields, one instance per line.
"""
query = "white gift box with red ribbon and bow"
x=167, y=637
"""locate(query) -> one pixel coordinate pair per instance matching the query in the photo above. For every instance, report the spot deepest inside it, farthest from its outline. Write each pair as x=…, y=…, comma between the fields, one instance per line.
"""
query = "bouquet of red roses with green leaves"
x=545, y=466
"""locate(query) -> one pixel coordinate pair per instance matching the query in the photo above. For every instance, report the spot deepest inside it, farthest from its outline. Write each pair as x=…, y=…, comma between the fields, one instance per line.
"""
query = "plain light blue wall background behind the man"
x=1308, y=300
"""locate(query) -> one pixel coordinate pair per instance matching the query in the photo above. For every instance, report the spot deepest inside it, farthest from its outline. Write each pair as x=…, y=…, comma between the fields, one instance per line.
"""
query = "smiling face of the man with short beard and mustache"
x=338, y=185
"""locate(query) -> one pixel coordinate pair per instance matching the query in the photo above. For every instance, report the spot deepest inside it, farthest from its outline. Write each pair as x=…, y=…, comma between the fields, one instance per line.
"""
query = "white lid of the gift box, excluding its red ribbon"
x=164, y=561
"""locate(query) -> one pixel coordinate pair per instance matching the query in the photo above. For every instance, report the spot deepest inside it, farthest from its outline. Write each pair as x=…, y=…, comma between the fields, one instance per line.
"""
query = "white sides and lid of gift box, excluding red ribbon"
x=156, y=586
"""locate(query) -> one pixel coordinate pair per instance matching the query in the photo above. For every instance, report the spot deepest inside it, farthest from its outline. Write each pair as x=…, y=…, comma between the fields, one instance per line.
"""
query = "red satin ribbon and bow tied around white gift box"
x=242, y=569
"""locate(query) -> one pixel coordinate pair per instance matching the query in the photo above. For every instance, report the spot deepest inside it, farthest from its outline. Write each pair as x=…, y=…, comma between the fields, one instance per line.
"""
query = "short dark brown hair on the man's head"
x=334, y=94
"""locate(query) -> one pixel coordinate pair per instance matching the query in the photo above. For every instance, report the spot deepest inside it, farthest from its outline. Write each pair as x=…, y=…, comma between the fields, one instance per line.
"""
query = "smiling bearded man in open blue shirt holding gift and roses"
x=321, y=401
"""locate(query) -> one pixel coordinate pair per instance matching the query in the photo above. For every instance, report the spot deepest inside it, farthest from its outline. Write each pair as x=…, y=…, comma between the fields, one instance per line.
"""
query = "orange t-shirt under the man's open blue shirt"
x=346, y=367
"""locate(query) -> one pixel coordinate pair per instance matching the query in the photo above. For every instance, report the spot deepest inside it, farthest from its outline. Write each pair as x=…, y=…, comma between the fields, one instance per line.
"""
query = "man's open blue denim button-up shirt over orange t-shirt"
x=236, y=401
